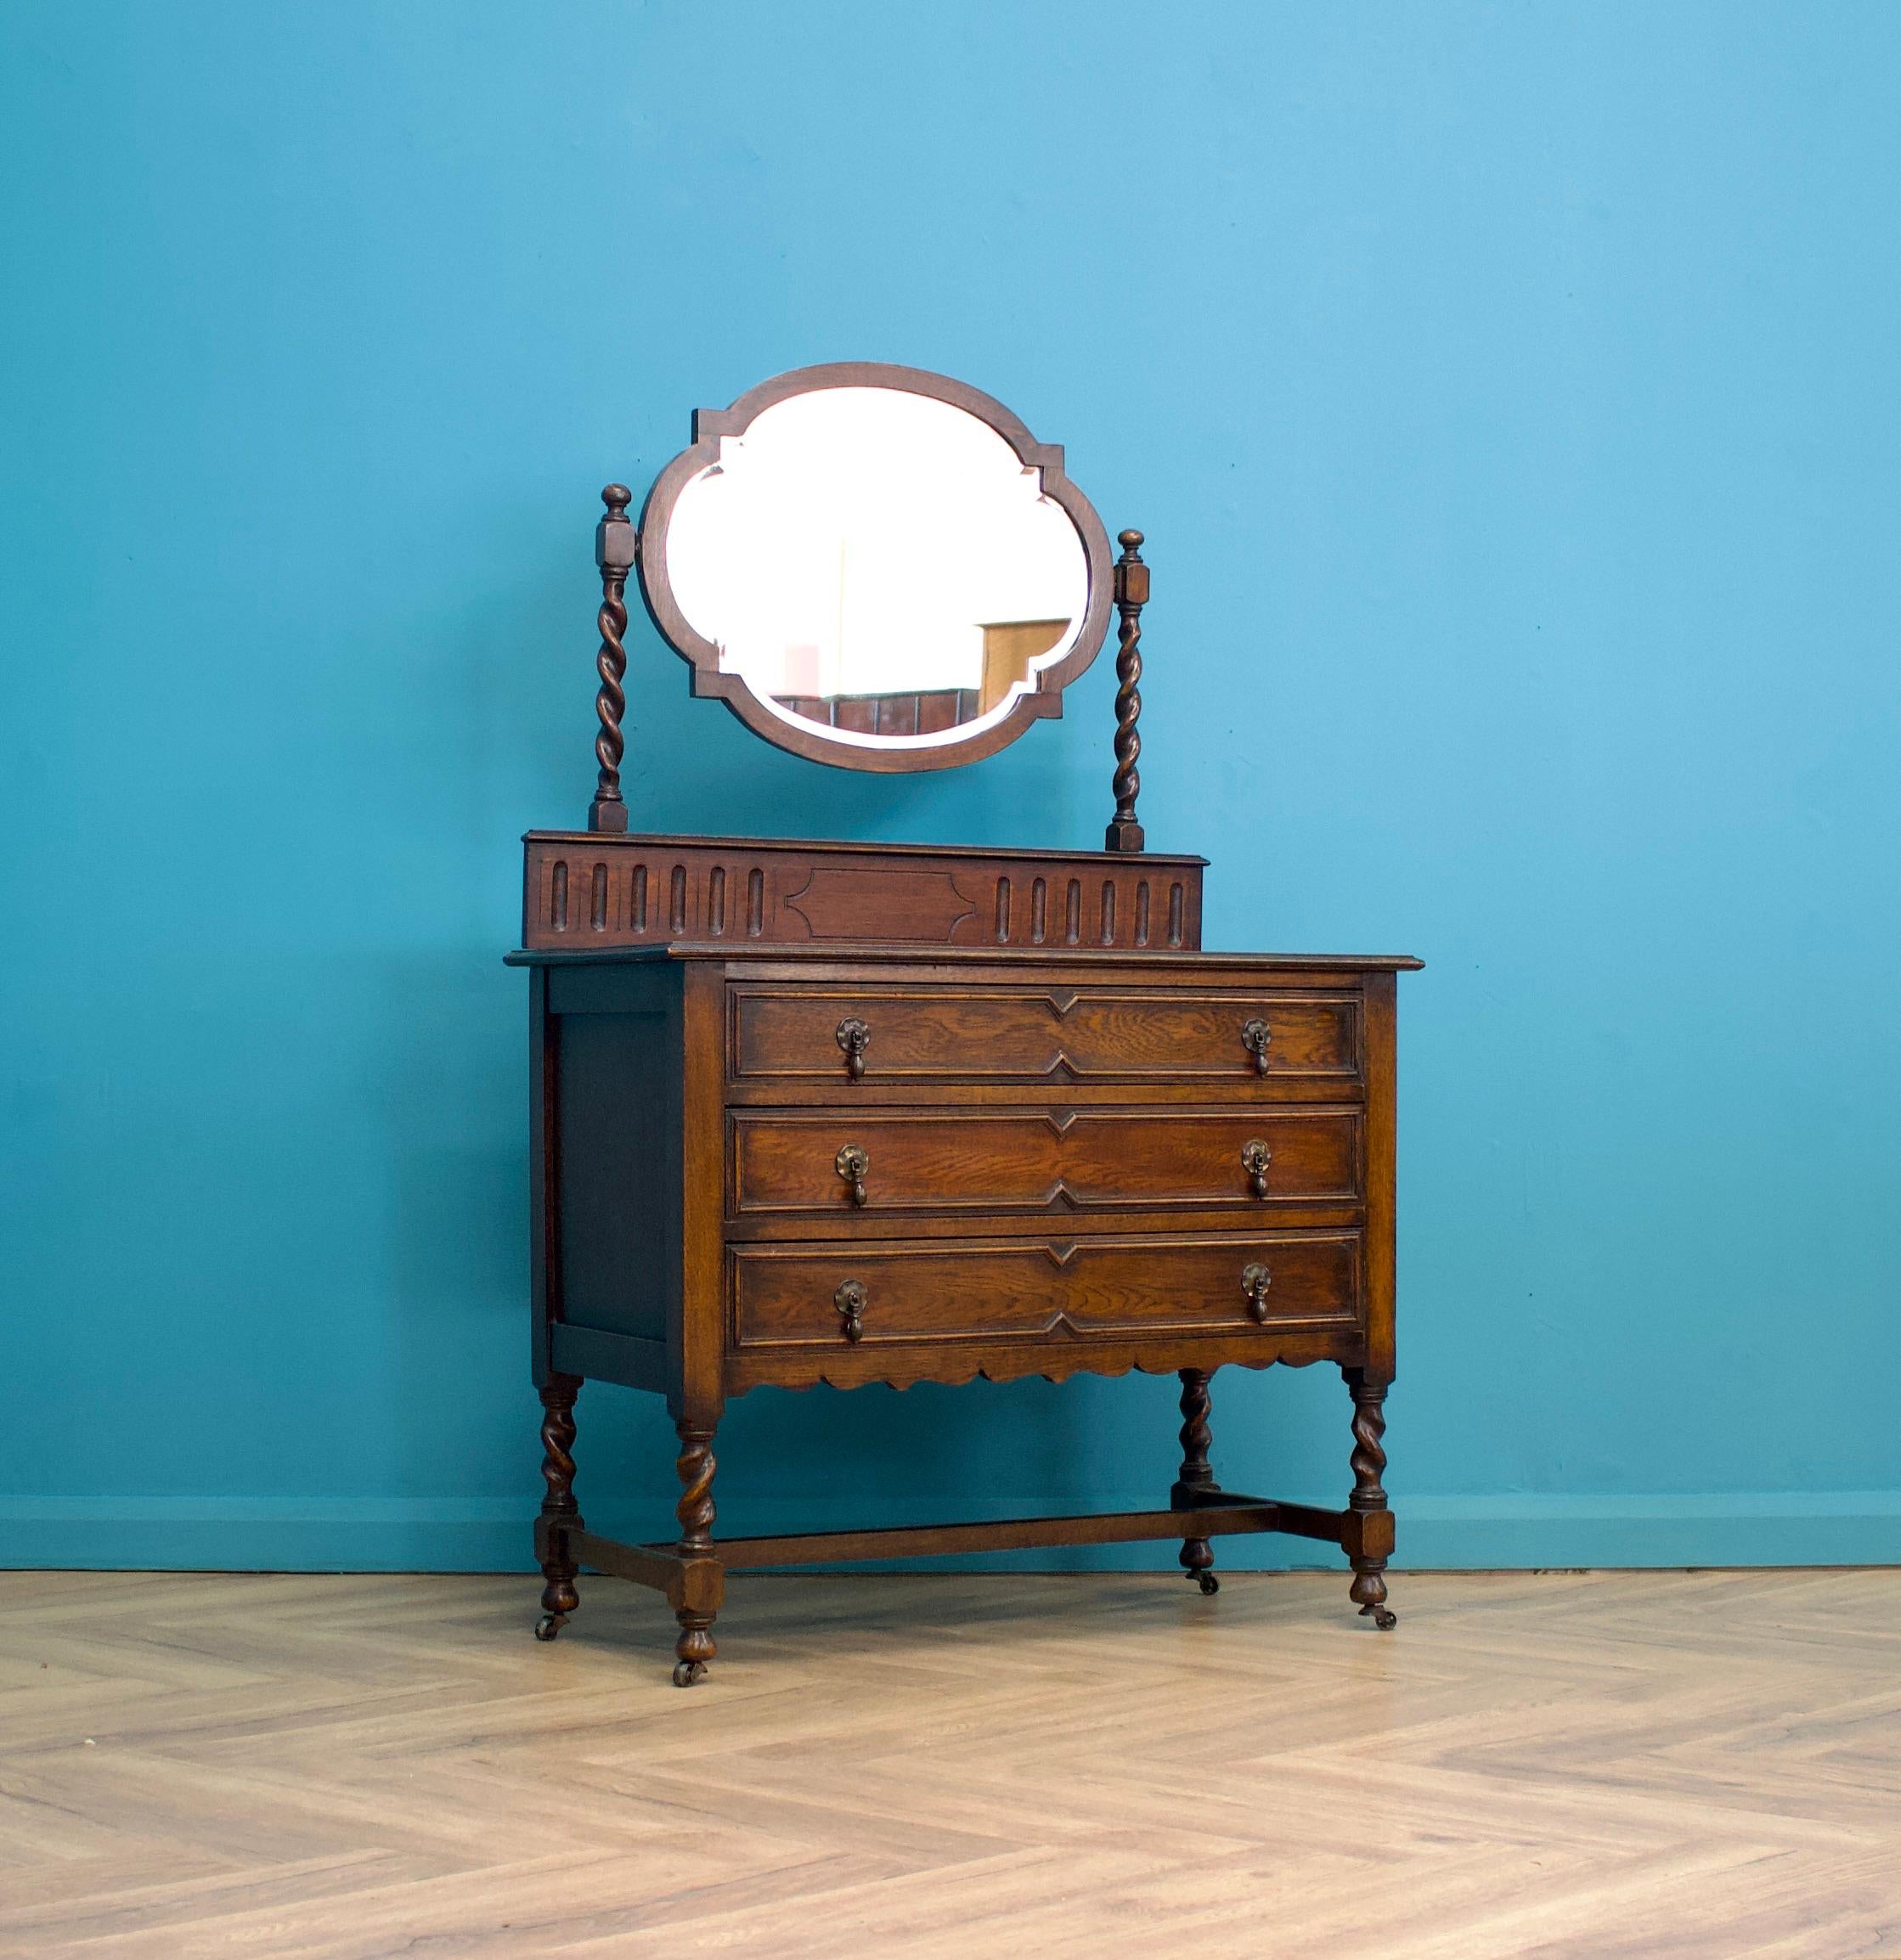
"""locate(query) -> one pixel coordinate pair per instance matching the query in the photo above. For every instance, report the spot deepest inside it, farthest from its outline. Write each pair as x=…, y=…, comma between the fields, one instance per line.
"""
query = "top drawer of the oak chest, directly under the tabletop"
x=1032, y=1034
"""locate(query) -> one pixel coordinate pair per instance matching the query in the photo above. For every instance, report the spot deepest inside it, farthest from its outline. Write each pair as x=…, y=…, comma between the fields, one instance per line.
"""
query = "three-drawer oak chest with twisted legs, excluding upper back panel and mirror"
x=789, y=1165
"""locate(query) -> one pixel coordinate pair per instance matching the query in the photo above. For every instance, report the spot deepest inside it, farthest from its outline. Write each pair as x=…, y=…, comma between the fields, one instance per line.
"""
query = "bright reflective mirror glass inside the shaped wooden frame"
x=879, y=563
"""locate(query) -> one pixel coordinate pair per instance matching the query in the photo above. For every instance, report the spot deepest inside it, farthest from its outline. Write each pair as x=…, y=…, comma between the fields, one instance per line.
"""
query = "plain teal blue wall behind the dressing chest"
x=1510, y=395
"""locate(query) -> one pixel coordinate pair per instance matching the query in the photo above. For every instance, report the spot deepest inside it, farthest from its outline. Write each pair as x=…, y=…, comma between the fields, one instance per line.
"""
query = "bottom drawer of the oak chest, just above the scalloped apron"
x=1010, y=1289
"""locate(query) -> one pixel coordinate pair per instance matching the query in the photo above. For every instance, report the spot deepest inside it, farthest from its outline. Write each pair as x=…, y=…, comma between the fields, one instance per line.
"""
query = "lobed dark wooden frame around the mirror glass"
x=810, y=738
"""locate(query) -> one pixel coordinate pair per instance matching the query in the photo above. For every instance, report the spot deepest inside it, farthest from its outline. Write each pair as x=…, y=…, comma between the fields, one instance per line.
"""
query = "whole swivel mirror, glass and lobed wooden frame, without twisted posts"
x=875, y=567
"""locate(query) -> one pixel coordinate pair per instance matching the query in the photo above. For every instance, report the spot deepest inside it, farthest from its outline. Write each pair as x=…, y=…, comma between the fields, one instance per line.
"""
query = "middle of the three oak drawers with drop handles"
x=852, y=1163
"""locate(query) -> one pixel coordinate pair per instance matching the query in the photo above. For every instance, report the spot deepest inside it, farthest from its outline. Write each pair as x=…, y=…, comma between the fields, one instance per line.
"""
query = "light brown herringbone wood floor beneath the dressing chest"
x=1579, y=1765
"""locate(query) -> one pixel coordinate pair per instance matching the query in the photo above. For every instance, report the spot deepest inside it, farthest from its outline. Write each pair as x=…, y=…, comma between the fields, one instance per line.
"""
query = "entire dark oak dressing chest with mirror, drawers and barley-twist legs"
x=850, y=1114
